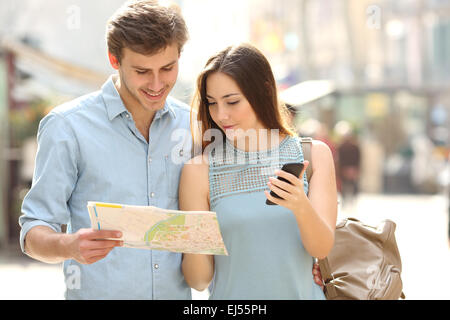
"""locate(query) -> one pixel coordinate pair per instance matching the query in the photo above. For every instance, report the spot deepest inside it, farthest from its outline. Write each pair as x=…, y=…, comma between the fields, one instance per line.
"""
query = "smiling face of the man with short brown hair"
x=148, y=80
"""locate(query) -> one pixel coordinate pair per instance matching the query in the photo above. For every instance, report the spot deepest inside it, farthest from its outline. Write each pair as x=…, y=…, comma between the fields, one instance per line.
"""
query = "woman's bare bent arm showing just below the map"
x=198, y=270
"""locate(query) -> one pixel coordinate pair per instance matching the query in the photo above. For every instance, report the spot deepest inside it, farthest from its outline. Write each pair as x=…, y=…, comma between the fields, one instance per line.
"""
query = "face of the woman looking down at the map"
x=229, y=108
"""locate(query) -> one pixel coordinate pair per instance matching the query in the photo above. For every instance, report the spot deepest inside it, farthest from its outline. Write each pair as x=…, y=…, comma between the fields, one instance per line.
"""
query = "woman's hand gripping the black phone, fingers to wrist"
x=292, y=194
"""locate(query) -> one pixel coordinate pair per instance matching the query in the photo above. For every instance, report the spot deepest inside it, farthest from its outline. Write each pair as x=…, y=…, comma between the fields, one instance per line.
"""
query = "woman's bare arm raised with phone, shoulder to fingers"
x=316, y=212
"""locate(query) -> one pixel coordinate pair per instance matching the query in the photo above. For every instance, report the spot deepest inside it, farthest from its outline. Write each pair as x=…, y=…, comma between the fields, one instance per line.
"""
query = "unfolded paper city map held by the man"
x=147, y=227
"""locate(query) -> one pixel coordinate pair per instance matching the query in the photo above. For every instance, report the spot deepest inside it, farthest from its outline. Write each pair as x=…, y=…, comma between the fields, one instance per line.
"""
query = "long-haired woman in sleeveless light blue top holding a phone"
x=271, y=247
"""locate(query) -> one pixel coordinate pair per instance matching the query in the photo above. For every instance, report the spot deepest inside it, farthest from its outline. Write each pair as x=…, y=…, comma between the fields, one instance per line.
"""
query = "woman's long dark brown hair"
x=250, y=69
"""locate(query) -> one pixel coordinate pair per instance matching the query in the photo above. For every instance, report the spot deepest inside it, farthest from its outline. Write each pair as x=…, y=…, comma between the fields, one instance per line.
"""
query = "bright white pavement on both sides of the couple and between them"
x=421, y=234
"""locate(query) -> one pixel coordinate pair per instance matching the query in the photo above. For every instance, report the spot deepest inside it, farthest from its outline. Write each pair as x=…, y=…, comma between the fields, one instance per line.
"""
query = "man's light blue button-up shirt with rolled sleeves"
x=90, y=150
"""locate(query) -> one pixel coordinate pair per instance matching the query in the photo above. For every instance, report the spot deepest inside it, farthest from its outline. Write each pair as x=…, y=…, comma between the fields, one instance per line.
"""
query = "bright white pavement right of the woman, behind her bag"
x=422, y=239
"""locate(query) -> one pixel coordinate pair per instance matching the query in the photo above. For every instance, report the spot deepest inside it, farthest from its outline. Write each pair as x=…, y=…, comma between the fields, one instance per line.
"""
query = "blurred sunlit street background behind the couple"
x=369, y=78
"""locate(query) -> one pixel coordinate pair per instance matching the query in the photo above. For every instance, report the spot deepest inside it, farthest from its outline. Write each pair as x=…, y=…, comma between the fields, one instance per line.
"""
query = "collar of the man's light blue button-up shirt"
x=115, y=105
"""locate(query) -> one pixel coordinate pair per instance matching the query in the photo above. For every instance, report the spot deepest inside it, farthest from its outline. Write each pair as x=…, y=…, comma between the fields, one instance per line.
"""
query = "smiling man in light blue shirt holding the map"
x=114, y=145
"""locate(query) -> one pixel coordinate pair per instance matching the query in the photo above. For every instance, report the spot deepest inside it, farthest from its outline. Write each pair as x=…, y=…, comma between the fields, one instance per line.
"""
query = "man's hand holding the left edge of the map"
x=88, y=245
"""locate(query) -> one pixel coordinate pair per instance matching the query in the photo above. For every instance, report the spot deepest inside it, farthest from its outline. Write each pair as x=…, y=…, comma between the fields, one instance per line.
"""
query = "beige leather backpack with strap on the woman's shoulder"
x=364, y=263
